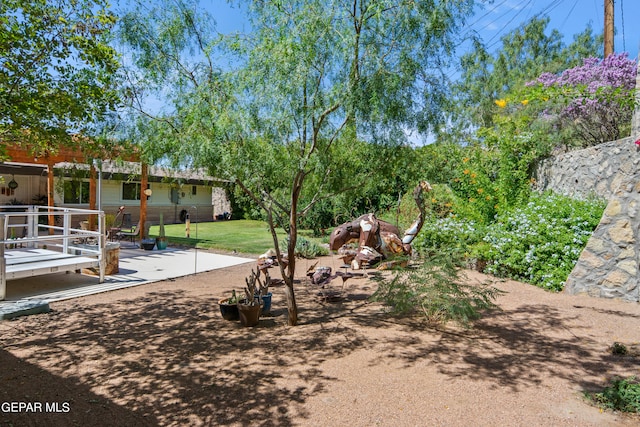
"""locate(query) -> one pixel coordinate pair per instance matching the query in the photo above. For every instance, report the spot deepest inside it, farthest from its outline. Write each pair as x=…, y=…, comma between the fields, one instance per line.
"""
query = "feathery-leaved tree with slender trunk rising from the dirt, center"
x=277, y=110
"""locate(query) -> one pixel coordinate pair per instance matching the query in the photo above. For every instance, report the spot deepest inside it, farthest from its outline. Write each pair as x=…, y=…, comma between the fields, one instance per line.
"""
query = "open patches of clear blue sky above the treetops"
x=570, y=17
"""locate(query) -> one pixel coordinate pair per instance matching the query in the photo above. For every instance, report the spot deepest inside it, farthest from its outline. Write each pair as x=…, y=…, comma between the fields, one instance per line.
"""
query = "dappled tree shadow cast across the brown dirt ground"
x=168, y=357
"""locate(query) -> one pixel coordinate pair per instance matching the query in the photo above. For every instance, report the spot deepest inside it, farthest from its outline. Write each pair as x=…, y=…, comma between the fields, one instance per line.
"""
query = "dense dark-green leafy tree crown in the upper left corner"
x=56, y=69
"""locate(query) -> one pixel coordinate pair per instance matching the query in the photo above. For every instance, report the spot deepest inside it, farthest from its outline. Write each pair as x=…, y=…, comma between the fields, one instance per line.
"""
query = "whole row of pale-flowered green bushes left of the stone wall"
x=538, y=242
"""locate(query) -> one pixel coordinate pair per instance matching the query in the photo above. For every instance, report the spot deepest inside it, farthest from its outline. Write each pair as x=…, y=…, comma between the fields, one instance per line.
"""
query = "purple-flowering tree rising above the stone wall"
x=593, y=102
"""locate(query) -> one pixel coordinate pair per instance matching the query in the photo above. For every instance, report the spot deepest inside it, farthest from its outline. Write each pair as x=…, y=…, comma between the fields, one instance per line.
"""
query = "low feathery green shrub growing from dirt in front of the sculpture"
x=435, y=290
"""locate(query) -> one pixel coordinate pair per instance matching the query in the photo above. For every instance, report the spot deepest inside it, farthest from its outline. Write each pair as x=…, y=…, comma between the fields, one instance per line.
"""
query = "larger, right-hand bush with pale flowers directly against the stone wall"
x=539, y=242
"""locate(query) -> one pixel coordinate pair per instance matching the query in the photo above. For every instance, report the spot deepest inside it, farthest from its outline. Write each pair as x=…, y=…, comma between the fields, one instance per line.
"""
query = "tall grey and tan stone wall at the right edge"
x=608, y=266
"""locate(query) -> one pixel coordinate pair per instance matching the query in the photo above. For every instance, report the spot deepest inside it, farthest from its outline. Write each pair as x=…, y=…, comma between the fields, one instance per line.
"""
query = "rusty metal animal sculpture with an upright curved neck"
x=377, y=240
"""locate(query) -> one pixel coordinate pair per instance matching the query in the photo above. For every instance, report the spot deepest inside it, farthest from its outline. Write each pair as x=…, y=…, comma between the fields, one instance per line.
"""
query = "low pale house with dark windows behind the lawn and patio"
x=176, y=194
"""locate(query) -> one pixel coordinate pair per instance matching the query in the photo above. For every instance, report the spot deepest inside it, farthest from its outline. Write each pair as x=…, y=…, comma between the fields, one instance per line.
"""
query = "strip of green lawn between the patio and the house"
x=244, y=236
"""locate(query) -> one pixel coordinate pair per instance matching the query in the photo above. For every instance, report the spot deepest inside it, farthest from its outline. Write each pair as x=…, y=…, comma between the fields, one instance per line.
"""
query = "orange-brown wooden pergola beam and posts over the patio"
x=21, y=154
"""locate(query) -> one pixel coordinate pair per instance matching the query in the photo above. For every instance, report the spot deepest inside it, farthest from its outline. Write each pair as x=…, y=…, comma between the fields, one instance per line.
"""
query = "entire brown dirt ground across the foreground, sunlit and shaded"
x=160, y=354
